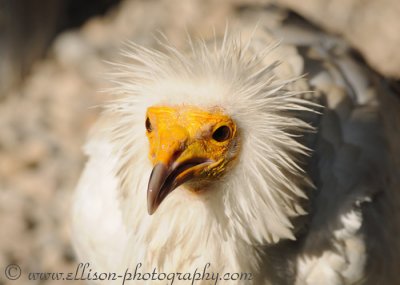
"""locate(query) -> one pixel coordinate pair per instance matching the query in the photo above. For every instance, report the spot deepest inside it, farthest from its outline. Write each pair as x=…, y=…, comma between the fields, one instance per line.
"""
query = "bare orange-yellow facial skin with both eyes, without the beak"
x=179, y=134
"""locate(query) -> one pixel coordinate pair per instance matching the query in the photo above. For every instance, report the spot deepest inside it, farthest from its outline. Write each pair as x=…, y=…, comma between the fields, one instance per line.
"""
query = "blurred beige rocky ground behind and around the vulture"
x=52, y=67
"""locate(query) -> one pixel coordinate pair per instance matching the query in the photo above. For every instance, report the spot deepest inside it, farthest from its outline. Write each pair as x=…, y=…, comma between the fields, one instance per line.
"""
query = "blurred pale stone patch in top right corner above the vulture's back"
x=372, y=27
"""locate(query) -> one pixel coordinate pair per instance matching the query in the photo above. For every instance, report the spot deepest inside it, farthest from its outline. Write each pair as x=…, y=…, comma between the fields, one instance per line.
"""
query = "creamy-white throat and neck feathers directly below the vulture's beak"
x=192, y=233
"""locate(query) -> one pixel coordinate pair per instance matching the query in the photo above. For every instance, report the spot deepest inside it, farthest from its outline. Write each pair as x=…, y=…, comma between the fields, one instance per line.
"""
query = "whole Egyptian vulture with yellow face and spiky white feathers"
x=261, y=155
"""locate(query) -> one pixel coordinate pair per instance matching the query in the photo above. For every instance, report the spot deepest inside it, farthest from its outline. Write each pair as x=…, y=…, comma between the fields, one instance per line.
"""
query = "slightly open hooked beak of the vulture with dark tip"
x=163, y=179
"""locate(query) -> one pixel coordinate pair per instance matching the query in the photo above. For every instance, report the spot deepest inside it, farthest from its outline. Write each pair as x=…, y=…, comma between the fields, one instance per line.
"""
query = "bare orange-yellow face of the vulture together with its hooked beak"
x=187, y=145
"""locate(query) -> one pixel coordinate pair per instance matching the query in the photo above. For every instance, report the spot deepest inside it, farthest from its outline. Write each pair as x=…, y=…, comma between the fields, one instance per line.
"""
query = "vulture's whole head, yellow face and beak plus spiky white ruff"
x=208, y=156
